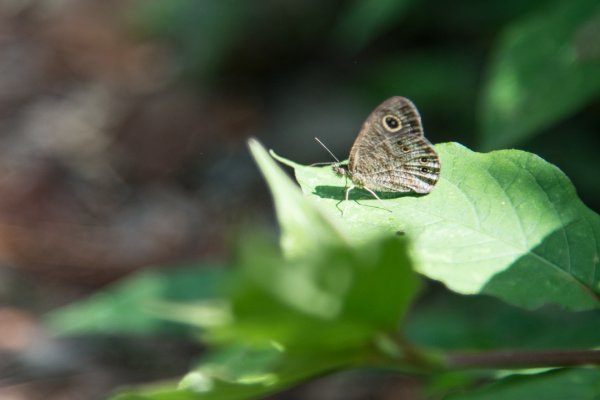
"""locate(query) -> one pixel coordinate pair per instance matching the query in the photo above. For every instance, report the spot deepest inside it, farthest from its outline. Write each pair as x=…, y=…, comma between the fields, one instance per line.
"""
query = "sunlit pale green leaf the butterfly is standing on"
x=506, y=223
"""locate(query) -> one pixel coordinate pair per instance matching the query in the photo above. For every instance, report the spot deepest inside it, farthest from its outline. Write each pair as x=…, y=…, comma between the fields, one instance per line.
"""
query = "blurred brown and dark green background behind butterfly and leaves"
x=123, y=128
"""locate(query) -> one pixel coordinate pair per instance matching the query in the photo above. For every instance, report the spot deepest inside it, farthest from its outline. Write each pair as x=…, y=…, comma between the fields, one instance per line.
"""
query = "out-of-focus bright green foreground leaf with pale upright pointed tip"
x=365, y=290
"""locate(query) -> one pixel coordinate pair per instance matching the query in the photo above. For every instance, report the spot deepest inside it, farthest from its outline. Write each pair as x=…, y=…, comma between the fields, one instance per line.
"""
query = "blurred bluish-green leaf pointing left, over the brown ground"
x=139, y=304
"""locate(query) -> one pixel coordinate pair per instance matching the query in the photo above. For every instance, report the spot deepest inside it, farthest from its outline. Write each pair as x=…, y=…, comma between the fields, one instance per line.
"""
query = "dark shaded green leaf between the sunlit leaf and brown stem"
x=448, y=321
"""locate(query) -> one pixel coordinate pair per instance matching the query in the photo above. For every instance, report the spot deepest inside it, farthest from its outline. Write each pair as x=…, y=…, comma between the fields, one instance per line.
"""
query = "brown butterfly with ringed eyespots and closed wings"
x=391, y=153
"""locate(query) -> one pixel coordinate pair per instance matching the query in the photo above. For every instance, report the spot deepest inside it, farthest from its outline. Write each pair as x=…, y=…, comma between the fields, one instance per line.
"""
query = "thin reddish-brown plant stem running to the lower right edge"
x=523, y=359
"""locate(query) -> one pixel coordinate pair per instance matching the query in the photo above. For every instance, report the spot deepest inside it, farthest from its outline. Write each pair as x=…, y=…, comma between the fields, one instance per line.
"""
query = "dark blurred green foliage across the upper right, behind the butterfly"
x=492, y=75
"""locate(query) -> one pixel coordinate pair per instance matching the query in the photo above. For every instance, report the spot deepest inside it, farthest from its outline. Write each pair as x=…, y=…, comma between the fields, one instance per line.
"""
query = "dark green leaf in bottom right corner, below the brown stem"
x=579, y=383
